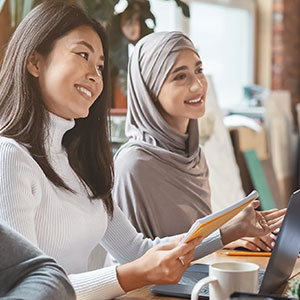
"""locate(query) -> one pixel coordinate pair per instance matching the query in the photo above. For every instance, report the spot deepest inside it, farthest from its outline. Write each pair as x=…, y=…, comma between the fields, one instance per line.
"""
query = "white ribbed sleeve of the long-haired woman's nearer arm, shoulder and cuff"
x=19, y=198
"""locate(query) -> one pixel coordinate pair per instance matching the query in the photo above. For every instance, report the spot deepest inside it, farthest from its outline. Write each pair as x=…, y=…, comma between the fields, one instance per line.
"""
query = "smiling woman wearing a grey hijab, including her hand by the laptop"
x=161, y=176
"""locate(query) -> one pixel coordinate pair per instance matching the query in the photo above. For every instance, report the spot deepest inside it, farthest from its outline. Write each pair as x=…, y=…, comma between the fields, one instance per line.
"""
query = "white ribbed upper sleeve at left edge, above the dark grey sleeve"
x=19, y=195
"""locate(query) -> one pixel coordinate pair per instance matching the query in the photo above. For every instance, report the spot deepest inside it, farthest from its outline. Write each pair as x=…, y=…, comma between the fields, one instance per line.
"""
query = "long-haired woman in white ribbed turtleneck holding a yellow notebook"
x=56, y=166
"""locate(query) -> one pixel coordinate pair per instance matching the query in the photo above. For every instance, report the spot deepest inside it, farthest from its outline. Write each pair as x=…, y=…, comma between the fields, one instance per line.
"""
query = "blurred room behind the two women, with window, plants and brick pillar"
x=251, y=55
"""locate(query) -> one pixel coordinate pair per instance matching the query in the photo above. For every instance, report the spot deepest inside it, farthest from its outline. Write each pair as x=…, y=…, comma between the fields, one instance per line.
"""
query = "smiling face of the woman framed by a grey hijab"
x=182, y=95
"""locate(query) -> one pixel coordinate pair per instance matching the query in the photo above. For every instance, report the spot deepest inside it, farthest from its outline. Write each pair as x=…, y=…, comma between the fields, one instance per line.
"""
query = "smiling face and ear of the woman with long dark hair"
x=70, y=76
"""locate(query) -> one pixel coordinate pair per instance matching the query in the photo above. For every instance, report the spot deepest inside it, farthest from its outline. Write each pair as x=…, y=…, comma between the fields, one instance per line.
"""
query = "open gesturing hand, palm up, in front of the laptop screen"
x=252, y=223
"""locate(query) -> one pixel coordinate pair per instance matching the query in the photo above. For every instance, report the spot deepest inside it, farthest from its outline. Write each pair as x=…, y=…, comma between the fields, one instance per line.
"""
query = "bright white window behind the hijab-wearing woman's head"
x=223, y=33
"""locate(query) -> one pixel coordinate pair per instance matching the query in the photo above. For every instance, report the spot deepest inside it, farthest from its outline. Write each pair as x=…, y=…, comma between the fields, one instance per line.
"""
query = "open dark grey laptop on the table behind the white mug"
x=273, y=280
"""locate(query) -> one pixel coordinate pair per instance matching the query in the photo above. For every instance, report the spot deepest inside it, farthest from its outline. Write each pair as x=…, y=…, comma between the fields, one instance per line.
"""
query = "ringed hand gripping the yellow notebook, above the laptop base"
x=159, y=265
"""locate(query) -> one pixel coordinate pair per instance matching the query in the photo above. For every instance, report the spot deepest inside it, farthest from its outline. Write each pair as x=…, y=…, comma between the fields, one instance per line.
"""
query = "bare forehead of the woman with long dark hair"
x=79, y=34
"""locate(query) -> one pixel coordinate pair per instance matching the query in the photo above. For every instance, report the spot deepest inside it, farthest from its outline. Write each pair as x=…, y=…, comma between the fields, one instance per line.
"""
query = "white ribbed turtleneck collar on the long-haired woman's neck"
x=57, y=128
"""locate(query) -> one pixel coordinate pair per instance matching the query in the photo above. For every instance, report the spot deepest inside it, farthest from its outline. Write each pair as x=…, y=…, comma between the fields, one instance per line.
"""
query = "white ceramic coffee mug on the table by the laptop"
x=228, y=277
